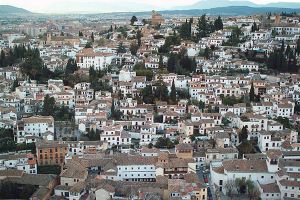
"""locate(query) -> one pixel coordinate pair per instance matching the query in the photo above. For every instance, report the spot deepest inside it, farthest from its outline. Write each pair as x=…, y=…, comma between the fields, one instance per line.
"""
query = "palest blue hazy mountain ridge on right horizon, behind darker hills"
x=207, y=4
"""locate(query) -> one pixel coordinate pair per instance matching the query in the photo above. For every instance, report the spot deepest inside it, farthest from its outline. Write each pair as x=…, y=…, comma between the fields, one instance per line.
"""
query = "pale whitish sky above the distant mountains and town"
x=67, y=6
